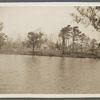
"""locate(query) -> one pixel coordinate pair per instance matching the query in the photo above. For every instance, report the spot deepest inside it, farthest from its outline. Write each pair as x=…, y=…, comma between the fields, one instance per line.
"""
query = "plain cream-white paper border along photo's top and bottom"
x=96, y=3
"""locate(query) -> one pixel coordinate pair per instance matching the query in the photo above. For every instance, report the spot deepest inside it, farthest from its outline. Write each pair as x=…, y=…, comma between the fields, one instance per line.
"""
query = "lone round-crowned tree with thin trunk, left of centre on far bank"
x=35, y=38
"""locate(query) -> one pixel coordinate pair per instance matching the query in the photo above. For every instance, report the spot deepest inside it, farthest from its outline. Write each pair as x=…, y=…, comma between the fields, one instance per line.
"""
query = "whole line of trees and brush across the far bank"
x=71, y=40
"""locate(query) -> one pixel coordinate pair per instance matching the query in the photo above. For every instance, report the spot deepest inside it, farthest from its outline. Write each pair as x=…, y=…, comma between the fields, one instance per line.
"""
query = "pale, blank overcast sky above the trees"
x=21, y=20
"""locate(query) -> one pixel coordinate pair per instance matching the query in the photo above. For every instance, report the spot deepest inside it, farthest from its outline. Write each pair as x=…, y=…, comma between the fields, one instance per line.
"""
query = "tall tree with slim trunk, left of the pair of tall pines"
x=64, y=34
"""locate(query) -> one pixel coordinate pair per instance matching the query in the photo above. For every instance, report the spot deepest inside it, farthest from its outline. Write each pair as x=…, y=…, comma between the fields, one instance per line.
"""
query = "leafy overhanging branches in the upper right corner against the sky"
x=88, y=16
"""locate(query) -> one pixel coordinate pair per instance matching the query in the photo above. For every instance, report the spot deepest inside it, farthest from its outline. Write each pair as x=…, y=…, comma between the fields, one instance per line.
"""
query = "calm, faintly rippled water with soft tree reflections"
x=23, y=74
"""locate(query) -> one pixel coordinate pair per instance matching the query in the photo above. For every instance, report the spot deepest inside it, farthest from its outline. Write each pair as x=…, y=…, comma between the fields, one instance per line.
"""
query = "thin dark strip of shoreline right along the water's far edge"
x=68, y=55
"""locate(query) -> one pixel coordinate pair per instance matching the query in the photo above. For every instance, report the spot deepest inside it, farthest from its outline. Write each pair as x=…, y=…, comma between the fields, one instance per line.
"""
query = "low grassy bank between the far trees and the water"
x=56, y=53
